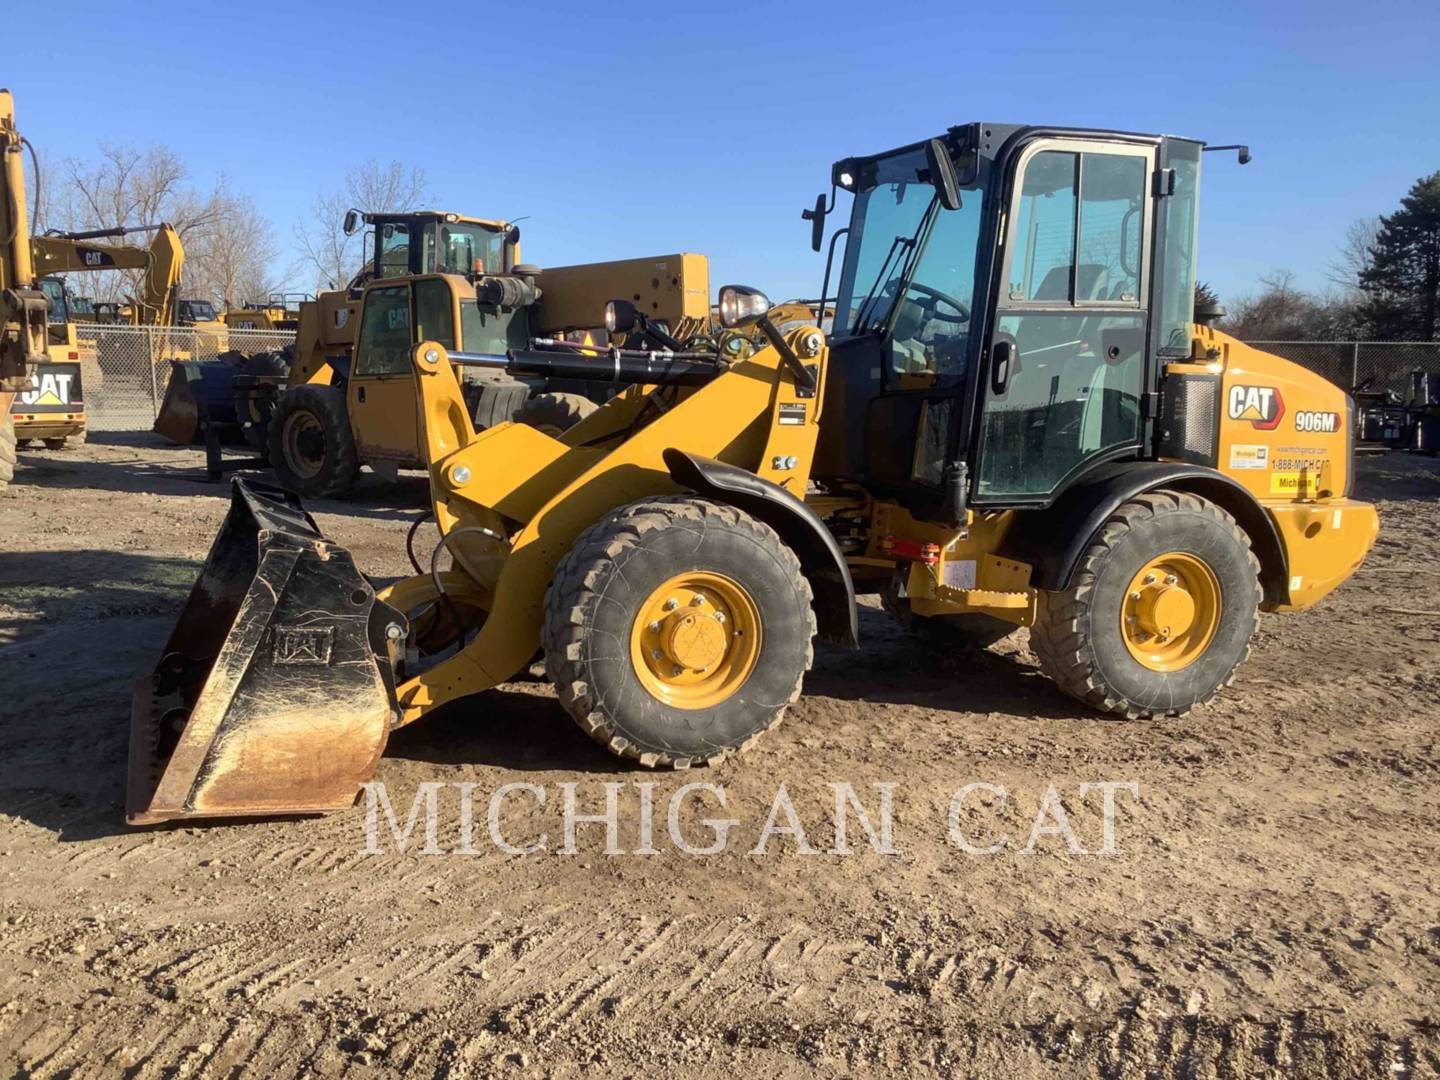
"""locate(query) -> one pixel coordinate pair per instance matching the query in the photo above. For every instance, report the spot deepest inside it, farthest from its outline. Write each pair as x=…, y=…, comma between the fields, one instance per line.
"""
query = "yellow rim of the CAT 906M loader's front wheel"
x=696, y=640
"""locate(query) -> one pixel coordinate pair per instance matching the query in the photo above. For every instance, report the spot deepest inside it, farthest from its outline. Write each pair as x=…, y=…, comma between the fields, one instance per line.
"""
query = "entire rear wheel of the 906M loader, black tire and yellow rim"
x=1160, y=611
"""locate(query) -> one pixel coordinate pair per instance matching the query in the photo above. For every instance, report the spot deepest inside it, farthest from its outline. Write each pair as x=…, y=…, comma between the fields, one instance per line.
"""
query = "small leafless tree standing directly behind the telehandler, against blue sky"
x=374, y=188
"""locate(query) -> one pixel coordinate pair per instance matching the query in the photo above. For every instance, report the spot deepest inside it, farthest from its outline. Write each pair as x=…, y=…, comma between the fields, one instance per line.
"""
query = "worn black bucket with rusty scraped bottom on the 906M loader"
x=276, y=690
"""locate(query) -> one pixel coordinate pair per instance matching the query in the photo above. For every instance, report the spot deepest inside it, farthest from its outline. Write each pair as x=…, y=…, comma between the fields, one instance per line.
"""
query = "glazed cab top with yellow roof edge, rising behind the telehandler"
x=434, y=243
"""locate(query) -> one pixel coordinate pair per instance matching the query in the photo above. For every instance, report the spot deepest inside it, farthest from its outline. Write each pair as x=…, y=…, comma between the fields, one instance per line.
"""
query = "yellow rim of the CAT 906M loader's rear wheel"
x=1171, y=611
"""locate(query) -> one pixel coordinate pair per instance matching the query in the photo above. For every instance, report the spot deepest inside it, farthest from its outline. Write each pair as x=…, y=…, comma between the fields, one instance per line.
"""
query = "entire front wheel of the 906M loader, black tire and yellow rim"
x=678, y=631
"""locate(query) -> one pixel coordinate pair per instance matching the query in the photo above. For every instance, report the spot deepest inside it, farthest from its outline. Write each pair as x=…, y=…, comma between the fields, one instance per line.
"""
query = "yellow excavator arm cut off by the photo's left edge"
x=24, y=306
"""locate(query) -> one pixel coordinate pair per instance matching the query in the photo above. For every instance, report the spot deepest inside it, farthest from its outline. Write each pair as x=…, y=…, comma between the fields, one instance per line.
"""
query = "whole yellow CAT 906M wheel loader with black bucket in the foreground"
x=1014, y=423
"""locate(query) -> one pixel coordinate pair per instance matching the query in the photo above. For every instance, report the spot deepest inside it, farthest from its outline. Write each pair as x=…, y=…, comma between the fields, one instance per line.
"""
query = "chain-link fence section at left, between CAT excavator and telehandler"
x=125, y=371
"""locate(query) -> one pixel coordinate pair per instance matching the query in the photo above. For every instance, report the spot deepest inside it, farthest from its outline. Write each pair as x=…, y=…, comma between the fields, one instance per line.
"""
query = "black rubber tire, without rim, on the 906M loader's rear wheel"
x=1078, y=633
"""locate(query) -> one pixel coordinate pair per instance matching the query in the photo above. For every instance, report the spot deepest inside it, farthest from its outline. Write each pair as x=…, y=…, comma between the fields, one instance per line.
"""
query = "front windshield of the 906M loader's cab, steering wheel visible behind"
x=911, y=267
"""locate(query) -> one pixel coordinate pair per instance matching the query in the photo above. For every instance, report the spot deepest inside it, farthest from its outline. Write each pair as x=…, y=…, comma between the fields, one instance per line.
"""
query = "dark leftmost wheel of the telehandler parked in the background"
x=312, y=447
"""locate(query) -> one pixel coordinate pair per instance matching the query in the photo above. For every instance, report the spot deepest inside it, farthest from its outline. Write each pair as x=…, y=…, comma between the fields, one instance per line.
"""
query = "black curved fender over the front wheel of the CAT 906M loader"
x=797, y=525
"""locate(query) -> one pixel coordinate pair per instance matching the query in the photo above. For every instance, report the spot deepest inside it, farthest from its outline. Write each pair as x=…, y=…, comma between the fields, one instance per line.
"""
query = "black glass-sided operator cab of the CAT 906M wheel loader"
x=994, y=354
